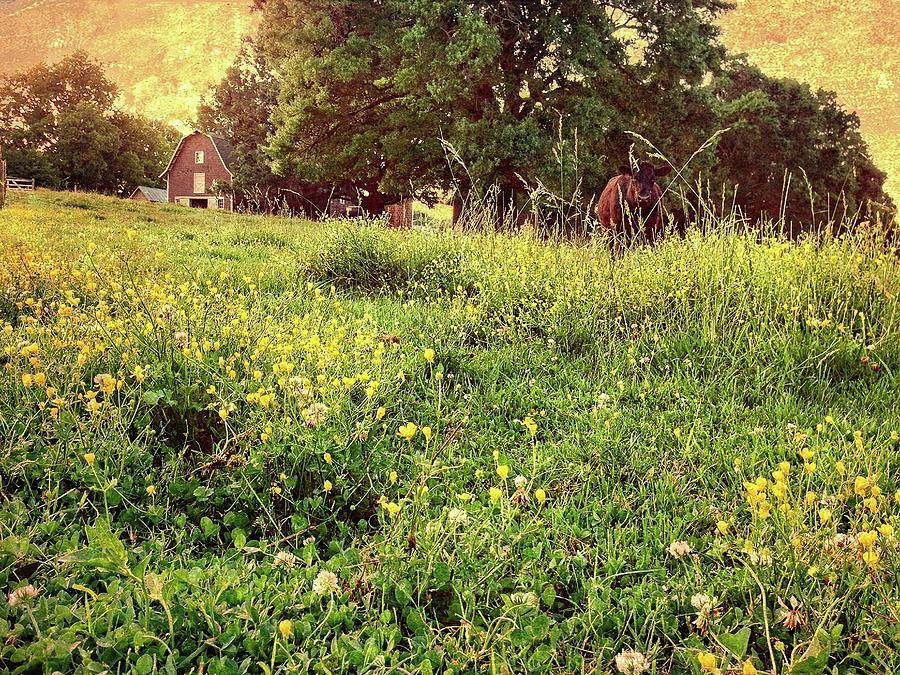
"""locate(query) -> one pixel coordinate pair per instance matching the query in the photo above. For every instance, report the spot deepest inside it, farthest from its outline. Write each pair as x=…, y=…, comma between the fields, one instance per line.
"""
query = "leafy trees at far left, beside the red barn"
x=60, y=126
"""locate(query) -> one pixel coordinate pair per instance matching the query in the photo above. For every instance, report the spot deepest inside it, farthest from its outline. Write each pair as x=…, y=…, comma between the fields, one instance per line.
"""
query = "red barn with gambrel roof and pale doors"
x=199, y=161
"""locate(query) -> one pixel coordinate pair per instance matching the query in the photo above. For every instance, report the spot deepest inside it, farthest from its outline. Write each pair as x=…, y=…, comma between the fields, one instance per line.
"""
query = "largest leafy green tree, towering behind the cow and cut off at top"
x=370, y=90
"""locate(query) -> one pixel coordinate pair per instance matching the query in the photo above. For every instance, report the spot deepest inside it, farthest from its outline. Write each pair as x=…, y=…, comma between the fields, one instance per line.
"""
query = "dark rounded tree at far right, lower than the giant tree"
x=782, y=126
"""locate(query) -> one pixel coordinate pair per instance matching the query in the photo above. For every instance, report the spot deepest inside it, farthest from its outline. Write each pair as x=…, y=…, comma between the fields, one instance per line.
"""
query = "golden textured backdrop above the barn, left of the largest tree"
x=165, y=55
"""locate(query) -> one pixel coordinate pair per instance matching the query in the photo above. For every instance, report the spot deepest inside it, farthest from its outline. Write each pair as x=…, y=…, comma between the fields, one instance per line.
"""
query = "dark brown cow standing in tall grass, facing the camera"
x=631, y=204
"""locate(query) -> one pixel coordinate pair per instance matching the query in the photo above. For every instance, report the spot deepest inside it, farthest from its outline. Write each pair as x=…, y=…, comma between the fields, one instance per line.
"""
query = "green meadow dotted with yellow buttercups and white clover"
x=242, y=444
